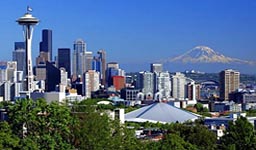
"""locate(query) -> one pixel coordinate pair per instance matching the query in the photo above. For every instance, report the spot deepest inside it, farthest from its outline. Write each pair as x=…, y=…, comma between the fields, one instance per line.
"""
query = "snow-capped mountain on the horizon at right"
x=204, y=54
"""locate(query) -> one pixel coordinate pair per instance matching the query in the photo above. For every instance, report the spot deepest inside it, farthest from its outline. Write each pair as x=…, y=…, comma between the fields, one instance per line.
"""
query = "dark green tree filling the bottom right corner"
x=239, y=135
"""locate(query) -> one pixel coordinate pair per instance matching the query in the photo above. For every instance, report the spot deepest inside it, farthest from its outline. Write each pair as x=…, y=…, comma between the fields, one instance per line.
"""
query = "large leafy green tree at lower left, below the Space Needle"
x=41, y=125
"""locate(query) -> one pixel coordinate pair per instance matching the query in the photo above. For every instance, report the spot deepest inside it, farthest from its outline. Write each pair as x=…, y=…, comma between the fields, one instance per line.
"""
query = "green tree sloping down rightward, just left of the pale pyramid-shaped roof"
x=95, y=130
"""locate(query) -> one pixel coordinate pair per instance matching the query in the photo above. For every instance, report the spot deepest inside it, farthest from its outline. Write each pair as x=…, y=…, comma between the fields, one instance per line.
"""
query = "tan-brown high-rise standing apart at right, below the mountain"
x=229, y=82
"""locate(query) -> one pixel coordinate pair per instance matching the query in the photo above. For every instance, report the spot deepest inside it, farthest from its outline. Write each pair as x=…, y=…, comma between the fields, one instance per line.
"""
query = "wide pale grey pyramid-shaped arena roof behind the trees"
x=160, y=112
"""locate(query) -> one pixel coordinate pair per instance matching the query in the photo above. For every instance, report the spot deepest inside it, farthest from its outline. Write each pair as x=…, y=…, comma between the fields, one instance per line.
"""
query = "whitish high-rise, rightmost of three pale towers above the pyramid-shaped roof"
x=178, y=86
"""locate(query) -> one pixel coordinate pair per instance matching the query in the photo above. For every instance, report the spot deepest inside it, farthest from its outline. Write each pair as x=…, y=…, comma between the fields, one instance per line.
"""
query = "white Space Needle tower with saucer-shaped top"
x=28, y=22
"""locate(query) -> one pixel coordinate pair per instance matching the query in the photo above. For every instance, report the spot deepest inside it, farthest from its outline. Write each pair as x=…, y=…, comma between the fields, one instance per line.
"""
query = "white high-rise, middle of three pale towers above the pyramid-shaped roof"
x=164, y=84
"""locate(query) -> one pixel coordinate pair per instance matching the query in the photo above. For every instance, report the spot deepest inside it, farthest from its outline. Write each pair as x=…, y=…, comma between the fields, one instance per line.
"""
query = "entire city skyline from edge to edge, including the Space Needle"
x=77, y=74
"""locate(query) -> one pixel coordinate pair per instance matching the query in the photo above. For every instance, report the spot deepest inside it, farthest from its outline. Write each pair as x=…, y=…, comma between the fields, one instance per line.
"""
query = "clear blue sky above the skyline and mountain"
x=137, y=31
